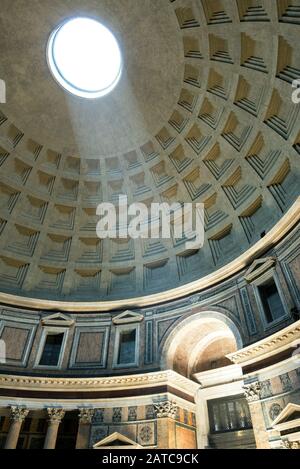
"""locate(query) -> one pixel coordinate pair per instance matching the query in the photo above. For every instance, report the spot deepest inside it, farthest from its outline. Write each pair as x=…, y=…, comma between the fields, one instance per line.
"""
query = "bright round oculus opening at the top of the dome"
x=85, y=58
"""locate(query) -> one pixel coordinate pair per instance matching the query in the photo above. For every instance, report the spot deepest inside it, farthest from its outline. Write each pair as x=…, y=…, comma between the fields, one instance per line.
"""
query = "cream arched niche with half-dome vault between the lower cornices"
x=200, y=343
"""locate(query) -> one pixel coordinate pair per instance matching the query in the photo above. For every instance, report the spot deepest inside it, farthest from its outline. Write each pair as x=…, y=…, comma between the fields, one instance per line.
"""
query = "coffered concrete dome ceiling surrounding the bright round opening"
x=203, y=112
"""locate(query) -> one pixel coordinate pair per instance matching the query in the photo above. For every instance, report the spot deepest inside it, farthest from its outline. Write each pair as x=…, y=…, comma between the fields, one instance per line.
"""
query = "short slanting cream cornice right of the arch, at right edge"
x=276, y=343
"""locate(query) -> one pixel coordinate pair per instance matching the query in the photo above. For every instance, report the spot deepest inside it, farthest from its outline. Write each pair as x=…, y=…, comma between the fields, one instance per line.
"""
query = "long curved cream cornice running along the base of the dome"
x=282, y=228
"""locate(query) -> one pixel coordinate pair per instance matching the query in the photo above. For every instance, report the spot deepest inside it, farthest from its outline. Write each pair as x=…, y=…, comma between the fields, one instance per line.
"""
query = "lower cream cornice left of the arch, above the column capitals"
x=35, y=383
